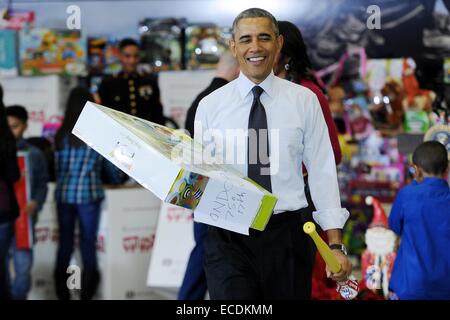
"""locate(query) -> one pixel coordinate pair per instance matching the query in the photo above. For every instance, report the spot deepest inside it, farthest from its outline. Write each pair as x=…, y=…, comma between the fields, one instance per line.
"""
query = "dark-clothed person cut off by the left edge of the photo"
x=9, y=209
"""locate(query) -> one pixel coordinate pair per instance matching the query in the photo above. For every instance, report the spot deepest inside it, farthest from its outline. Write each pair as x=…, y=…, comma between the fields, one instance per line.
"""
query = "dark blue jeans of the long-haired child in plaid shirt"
x=88, y=216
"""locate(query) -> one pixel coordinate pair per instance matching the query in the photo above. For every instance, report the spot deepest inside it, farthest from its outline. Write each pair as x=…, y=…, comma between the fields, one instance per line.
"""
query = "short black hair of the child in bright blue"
x=432, y=157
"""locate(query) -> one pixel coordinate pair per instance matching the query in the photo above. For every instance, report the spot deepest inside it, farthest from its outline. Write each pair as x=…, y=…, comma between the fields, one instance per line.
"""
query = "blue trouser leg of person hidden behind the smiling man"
x=194, y=281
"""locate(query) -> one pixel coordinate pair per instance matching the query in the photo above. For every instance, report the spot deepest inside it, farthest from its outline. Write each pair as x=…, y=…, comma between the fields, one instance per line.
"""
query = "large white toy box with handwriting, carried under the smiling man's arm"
x=154, y=156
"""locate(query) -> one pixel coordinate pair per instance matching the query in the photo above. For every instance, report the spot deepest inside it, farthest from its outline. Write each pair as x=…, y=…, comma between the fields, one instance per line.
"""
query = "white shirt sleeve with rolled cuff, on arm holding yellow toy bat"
x=322, y=176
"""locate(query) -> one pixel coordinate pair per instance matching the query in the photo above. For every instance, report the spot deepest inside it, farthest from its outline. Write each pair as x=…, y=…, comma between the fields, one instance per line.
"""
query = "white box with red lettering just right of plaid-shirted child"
x=125, y=243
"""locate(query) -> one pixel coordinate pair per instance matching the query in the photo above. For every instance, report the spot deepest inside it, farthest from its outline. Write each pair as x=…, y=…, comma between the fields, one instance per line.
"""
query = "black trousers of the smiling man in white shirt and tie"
x=274, y=264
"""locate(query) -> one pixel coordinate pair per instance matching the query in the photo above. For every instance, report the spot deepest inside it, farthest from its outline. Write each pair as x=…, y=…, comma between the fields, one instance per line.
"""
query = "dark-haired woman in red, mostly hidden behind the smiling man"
x=293, y=64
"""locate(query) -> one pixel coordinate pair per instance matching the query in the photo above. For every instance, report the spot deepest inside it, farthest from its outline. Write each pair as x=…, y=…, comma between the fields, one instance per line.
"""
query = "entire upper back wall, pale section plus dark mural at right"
x=409, y=28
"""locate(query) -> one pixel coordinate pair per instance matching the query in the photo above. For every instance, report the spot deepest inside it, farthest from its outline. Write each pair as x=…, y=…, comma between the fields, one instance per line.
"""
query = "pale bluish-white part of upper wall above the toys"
x=120, y=18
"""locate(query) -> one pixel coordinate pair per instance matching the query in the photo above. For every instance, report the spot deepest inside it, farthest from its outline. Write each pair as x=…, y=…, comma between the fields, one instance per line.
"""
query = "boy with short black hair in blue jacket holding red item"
x=23, y=259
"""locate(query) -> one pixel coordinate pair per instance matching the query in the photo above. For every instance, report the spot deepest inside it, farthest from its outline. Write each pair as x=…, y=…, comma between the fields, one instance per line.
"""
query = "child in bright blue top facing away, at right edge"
x=421, y=216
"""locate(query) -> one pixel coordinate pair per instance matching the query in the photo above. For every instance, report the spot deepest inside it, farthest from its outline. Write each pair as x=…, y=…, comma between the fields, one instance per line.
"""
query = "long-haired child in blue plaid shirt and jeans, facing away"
x=78, y=194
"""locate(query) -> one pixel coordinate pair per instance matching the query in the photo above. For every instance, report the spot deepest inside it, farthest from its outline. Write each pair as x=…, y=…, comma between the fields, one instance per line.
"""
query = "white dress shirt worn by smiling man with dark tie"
x=303, y=137
